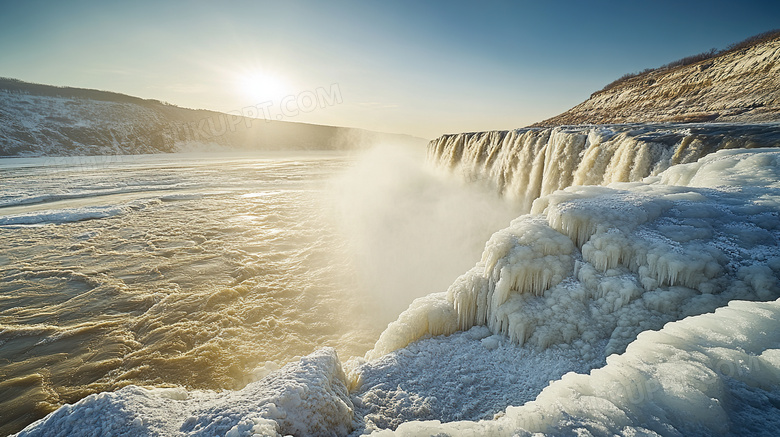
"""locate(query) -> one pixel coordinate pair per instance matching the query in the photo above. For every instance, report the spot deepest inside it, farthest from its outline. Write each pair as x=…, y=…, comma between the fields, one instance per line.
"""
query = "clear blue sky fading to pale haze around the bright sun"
x=417, y=67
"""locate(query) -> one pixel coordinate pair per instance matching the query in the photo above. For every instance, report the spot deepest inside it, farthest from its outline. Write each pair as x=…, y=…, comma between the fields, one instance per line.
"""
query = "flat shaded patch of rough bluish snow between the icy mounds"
x=469, y=375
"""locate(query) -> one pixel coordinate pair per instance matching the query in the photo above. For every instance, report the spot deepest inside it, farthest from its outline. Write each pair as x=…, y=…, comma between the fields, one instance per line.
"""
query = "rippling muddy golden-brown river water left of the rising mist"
x=158, y=270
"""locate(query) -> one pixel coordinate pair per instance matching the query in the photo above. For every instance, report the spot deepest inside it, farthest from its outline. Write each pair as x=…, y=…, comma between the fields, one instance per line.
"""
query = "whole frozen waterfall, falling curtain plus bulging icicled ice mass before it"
x=664, y=229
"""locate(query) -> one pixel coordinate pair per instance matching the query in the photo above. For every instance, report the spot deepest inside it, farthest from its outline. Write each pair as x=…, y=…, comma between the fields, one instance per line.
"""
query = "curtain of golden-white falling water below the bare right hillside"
x=525, y=164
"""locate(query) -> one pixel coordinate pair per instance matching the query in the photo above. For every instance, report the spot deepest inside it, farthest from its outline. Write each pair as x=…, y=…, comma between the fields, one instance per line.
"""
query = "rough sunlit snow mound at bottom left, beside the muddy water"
x=308, y=397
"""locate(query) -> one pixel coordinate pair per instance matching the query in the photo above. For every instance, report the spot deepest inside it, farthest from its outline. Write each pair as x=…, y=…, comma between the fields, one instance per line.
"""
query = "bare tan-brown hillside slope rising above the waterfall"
x=741, y=84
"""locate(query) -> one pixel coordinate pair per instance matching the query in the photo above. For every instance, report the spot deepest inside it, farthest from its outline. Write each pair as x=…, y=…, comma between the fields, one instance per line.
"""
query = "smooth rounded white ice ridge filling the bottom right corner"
x=714, y=374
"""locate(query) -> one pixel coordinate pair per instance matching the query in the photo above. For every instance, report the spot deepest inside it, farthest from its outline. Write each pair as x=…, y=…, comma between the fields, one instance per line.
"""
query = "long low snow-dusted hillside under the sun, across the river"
x=42, y=120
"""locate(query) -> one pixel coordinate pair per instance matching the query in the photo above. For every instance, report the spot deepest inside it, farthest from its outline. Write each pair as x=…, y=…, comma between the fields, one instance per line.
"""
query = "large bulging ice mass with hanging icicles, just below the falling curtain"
x=594, y=264
